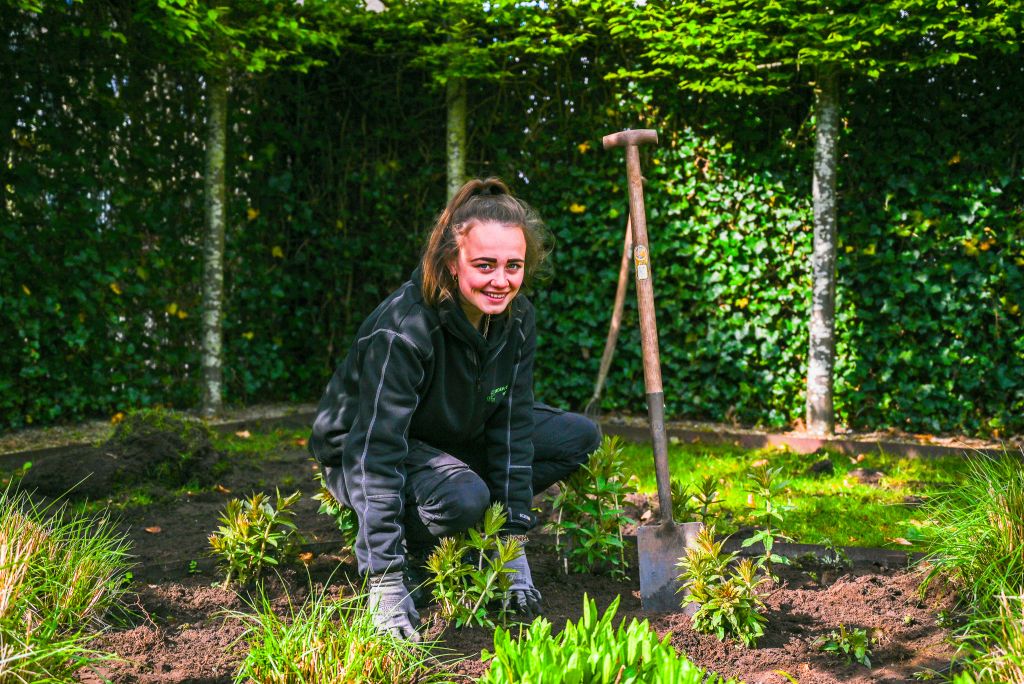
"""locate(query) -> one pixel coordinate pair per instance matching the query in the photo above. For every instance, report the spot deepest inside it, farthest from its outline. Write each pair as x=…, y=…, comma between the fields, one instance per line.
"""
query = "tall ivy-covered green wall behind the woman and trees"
x=335, y=177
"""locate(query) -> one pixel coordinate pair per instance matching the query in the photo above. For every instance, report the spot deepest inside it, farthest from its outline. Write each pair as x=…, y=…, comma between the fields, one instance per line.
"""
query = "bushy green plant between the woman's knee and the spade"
x=590, y=519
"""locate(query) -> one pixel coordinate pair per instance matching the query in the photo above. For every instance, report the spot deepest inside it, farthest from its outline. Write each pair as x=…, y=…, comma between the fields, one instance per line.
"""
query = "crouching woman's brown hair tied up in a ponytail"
x=480, y=202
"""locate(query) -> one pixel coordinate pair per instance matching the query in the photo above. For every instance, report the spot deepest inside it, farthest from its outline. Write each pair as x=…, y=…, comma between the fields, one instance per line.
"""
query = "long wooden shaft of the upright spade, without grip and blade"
x=649, y=332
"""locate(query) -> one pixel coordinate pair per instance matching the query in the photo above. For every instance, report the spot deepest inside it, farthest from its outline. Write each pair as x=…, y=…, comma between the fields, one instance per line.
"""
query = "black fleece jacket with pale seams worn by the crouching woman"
x=417, y=372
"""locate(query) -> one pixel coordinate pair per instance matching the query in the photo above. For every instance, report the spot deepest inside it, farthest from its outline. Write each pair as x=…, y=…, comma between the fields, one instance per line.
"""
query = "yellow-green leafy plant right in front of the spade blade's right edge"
x=729, y=600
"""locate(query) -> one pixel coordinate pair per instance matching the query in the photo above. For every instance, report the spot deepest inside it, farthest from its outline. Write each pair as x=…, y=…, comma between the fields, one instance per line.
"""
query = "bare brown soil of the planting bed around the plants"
x=179, y=631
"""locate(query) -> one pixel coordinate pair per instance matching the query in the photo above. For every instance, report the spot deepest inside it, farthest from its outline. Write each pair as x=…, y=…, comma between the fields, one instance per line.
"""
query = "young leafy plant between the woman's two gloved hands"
x=468, y=572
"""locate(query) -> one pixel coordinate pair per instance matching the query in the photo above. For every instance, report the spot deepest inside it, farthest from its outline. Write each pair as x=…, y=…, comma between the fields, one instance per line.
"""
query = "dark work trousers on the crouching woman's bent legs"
x=446, y=495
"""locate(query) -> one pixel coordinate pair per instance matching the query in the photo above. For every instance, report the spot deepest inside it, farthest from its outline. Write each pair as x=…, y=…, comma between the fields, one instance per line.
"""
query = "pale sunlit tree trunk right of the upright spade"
x=822, y=360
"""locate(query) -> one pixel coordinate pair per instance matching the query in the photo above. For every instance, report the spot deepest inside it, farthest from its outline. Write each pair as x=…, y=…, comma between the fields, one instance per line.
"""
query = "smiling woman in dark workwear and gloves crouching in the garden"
x=431, y=418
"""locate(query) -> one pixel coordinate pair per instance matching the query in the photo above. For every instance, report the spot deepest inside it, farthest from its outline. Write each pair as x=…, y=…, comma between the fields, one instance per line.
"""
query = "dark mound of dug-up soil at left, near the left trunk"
x=148, y=448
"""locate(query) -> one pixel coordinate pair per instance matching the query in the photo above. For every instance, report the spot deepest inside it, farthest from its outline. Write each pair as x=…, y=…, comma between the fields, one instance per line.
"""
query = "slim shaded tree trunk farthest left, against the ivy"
x=214, y=242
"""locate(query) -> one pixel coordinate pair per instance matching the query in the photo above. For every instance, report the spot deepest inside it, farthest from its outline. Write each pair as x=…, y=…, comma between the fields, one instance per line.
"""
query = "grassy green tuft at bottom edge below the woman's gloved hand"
x=328, y=640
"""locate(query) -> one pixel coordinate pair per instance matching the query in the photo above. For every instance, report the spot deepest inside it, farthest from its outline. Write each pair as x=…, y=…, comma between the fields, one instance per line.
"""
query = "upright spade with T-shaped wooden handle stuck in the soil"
x=660, y=545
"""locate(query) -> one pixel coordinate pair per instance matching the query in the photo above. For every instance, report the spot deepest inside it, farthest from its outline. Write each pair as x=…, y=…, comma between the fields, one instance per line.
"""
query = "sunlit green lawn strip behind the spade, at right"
x=826, y=509
